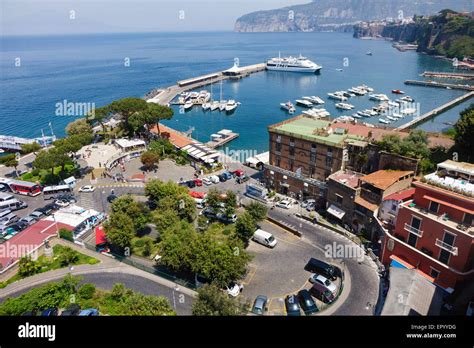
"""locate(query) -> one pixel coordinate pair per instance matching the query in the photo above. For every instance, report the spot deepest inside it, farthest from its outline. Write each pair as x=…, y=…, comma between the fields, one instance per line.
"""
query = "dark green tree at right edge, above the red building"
x=464, y=138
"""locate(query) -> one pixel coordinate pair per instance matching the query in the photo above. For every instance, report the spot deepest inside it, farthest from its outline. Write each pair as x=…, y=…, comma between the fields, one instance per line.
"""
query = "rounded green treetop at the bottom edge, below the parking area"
x=211, y=301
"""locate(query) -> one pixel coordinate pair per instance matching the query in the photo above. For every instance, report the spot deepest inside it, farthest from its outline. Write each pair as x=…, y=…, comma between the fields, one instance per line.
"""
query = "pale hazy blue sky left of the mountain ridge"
x=44, y=17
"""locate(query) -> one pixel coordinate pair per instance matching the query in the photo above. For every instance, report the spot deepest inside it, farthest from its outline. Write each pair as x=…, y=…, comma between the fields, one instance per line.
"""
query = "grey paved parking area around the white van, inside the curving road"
x=279, y=272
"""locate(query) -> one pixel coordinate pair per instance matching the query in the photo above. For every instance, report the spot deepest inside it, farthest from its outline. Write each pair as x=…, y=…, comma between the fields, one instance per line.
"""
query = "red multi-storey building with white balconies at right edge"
x=434, y=231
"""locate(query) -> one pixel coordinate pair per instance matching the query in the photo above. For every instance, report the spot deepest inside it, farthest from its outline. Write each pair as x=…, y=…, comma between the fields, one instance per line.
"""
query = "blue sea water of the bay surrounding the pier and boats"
x=91, y=69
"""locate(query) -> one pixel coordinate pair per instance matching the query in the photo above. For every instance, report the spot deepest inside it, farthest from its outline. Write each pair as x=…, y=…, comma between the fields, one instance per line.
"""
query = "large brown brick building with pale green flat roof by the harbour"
x=304, y=152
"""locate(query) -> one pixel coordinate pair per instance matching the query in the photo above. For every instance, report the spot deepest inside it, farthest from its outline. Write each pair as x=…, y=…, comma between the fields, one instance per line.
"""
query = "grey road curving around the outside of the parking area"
x=364, y=281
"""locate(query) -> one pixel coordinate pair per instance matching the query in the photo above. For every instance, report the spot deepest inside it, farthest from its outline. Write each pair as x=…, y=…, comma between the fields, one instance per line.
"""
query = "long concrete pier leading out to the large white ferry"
x=164, y=96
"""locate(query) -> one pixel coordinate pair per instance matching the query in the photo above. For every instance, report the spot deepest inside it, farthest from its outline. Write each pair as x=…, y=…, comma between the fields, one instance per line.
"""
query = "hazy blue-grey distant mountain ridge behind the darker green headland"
x=323, y=15
